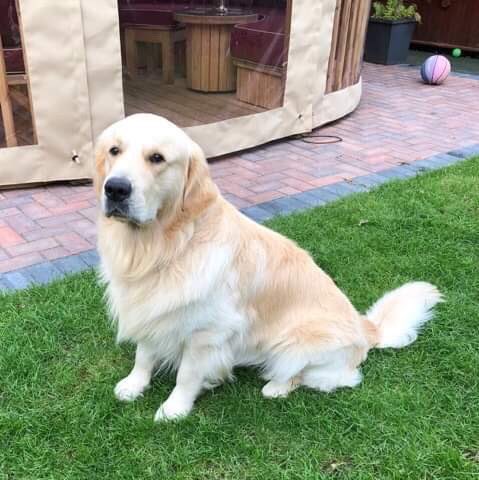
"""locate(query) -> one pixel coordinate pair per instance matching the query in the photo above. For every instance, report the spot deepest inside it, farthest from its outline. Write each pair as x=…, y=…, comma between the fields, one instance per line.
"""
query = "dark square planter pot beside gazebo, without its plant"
x=387, y=41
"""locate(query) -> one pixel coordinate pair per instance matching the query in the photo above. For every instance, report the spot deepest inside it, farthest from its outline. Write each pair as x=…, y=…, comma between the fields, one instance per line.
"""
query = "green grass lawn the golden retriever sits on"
x=416, y=415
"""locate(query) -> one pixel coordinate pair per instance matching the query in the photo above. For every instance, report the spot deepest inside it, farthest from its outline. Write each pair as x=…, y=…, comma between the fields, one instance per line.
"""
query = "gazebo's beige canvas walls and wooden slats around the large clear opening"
x=73, y=83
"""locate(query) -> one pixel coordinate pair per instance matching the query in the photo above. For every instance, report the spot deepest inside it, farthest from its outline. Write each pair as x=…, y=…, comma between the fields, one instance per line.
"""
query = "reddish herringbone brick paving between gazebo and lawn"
x=400, y=120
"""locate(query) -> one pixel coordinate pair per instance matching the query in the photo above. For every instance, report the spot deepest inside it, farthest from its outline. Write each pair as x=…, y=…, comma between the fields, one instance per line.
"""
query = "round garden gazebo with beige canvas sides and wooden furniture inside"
x=233, y=73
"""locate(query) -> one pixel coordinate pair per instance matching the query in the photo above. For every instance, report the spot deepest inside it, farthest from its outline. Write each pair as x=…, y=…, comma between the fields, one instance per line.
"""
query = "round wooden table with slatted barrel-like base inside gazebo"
x=209, y=67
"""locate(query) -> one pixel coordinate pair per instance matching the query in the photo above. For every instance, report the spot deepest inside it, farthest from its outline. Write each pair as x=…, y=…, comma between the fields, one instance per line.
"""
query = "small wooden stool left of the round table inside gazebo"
x=165, y=37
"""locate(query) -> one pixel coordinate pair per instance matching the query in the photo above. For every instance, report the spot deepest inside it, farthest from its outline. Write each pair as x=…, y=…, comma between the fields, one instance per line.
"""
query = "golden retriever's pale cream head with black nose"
x=143, y=165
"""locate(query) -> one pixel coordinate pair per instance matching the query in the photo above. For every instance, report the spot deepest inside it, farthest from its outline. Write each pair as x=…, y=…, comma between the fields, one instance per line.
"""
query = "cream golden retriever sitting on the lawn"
x=201, y=288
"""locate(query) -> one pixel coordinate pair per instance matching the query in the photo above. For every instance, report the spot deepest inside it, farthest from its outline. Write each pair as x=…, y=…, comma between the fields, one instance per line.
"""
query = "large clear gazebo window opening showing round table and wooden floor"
x=197, y=62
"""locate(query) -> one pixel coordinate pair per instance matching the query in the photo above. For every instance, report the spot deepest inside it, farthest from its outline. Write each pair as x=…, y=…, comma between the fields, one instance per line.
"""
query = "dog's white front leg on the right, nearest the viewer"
x=201, y=363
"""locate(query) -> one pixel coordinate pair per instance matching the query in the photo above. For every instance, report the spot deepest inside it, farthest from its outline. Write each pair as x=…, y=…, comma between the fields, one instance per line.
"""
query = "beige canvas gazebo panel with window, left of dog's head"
x=45, y=128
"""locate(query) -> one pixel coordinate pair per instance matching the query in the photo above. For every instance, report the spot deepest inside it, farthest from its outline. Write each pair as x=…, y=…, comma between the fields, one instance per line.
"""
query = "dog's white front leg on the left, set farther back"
x=132, y=386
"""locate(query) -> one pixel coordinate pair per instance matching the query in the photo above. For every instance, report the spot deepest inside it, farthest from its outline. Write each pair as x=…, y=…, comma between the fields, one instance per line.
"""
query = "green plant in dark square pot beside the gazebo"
x=390, y=31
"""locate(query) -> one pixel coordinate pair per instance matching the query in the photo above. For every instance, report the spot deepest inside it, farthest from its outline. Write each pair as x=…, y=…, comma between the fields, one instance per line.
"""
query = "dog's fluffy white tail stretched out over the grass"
x=399, y=315
